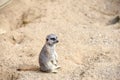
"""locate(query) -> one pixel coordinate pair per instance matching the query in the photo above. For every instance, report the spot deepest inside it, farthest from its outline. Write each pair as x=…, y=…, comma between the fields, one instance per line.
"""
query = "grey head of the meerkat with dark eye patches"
x=51, y=39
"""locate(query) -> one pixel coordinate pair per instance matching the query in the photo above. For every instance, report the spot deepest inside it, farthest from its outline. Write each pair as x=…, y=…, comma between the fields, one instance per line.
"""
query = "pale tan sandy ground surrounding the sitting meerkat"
x=88, y=48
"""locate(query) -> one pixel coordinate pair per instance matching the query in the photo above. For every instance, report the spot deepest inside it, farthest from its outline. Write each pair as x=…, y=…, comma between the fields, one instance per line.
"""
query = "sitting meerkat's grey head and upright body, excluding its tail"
x=48, y=57
